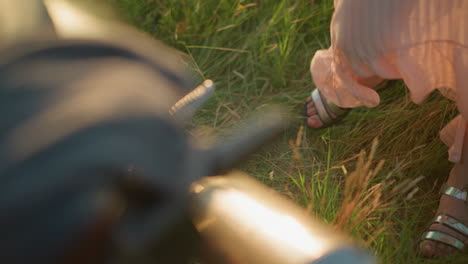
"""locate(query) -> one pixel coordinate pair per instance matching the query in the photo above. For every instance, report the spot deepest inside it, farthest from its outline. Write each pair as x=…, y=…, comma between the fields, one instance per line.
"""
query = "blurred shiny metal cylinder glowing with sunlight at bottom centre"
x=251, y=223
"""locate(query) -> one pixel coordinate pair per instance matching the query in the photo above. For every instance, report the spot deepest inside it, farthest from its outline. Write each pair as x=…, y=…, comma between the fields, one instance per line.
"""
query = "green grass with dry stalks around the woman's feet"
x=258, y=53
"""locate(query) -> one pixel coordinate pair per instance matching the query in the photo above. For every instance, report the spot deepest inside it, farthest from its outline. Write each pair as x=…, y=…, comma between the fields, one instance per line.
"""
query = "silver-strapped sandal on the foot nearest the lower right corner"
x=450, y=222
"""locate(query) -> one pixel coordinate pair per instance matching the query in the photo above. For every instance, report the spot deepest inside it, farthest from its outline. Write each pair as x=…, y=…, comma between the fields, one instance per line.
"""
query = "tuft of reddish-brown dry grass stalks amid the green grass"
x=365, y=199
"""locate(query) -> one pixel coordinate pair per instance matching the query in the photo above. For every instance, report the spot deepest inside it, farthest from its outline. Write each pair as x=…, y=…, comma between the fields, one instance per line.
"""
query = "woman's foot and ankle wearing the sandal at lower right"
x=449, y=208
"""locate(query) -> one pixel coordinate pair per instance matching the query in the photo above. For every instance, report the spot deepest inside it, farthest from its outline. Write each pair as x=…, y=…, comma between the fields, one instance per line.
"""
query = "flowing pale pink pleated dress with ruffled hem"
x=423, y=42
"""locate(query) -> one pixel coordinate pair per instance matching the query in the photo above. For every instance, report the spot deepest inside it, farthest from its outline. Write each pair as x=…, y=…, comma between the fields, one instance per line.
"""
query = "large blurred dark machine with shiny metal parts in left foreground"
x=96, y=165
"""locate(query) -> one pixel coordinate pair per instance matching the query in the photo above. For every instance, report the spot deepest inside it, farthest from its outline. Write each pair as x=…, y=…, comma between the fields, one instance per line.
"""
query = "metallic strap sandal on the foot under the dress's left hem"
x=328, y=112
